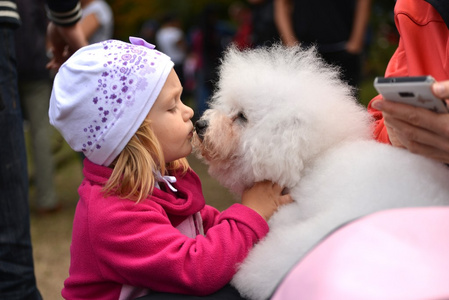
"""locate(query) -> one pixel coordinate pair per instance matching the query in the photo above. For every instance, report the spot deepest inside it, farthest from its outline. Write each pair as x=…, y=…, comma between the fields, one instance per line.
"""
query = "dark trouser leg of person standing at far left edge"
x=17, y=280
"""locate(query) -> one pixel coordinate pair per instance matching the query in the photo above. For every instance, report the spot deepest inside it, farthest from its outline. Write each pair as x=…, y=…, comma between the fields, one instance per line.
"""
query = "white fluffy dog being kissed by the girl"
x=282, y=114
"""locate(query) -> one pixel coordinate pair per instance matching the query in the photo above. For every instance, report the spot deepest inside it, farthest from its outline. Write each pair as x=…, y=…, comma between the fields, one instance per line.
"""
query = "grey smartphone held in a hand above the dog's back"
x=415, y=90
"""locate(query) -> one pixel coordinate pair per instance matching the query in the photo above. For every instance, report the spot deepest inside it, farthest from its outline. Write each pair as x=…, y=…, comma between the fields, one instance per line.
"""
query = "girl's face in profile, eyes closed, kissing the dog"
x=170, y=120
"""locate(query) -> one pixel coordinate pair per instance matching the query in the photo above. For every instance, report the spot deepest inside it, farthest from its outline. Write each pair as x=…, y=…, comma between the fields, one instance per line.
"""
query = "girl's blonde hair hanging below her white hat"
x=133, y=175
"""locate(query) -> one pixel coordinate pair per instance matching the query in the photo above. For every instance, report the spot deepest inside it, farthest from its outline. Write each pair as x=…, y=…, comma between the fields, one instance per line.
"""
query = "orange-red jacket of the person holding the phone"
x=423, y=49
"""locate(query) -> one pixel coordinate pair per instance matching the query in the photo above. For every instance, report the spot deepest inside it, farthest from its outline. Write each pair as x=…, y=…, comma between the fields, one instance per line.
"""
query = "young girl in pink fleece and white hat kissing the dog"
x=141, y=223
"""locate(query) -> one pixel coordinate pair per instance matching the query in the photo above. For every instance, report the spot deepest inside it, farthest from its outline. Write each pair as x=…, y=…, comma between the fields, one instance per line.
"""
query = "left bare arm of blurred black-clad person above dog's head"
x=283, y=20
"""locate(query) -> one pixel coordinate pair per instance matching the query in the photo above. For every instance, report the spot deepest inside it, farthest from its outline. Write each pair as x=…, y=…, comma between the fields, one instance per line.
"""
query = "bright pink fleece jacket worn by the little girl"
x=120, y=246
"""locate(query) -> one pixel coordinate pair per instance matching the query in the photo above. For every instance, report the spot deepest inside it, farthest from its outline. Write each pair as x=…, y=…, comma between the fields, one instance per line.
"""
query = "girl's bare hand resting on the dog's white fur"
x=265, y=198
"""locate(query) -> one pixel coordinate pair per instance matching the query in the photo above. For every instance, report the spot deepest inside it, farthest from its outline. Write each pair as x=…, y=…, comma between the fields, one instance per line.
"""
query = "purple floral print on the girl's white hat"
x=124, y=72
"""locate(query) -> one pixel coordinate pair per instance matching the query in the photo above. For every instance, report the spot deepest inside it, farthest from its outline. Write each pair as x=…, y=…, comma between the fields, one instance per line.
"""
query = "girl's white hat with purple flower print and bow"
x=103, y=93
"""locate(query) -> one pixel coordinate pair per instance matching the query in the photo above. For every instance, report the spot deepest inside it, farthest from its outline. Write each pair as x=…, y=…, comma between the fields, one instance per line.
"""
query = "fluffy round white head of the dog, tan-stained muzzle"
x=274, y=111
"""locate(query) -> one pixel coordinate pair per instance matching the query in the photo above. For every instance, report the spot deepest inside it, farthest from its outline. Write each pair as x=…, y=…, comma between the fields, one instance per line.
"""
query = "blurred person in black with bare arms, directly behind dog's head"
x=336, y=28
